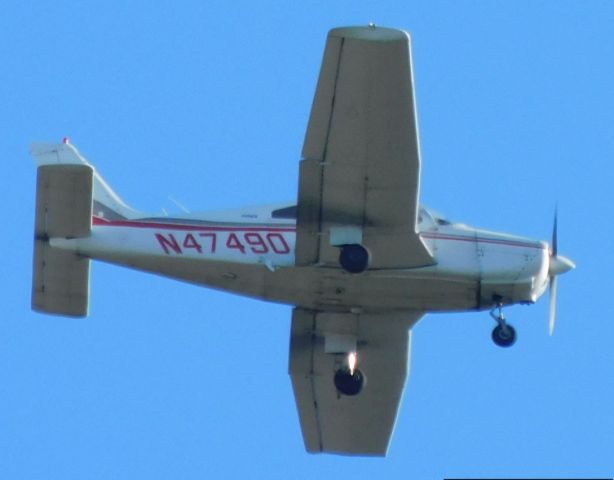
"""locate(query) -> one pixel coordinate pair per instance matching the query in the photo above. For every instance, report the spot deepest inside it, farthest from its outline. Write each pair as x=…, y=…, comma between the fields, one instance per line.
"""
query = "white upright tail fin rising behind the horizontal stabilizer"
x=107, y=203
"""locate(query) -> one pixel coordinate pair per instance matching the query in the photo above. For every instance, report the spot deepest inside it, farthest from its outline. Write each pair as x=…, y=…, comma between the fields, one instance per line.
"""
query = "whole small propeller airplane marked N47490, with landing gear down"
x=357, y=256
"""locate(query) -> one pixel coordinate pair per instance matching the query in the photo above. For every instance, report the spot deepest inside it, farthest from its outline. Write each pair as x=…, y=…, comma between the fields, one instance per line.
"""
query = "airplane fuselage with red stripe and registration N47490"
x=251, y=252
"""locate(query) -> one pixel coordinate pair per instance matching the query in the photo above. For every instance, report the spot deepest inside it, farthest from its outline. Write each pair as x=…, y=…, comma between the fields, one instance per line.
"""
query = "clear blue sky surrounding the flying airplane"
x=207, y=102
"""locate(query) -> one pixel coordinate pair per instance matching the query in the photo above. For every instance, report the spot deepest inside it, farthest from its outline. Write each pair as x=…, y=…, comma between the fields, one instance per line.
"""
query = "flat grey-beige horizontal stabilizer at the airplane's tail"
x=60, y=283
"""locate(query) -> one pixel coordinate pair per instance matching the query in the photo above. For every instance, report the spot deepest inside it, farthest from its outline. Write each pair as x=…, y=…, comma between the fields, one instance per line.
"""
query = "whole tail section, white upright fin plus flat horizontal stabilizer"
x=69, y=192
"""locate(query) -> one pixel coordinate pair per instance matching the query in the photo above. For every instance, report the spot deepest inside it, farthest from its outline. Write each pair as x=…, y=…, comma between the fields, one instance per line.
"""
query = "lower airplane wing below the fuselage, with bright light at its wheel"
x=352, y=425
